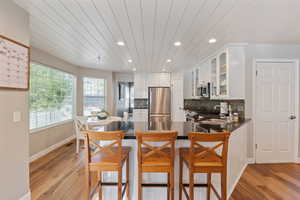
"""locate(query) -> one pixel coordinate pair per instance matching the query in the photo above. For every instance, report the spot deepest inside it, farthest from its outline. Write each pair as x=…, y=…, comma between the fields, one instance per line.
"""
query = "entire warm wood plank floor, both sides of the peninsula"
x=60, y=175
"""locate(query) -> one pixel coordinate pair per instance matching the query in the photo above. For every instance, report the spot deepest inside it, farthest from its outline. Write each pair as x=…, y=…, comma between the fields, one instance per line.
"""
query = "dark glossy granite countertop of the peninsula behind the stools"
x=183, y=128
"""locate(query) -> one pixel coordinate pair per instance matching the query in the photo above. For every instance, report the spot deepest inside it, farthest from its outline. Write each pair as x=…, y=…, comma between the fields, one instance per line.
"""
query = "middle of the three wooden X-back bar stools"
x=156, y=159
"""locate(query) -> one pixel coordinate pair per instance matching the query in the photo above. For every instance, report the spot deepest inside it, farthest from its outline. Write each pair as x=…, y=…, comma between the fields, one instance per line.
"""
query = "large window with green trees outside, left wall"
x=51, y=96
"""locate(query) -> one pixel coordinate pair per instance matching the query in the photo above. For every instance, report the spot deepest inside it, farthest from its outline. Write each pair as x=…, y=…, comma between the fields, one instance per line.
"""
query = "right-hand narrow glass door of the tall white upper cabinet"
x=223, y=74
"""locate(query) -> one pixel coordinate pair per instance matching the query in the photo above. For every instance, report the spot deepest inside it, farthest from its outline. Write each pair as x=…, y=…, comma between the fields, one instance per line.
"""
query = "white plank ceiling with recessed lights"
x=79, y=31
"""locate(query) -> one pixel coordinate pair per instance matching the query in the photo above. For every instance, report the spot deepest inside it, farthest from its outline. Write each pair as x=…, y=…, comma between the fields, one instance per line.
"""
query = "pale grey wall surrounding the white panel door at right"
x=263, y=51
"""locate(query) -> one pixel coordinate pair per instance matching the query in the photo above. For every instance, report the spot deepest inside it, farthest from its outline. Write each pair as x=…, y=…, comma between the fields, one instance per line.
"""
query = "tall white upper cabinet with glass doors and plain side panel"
x=227, y=69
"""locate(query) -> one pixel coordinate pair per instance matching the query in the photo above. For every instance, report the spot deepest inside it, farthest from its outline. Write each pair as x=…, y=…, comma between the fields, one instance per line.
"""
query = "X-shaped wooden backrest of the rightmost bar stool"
x=221, y=138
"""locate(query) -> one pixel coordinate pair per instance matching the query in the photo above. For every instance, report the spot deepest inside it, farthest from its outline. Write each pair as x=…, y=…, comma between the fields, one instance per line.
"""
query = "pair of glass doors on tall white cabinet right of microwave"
x=219, y=76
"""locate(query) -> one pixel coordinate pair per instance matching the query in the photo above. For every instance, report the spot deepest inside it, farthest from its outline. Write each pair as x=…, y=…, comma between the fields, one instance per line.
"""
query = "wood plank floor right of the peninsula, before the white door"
x=269, y=181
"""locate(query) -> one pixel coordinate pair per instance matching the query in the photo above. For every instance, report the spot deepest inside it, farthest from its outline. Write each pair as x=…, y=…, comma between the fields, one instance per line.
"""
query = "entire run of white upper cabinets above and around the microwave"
x=224, y=70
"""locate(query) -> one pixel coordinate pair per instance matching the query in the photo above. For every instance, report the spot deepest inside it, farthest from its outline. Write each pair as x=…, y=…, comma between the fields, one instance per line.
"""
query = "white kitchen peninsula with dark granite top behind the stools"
x=237, y=155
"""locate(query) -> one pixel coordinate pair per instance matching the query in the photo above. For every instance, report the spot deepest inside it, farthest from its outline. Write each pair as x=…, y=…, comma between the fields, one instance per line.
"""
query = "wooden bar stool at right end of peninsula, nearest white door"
x=202, y=159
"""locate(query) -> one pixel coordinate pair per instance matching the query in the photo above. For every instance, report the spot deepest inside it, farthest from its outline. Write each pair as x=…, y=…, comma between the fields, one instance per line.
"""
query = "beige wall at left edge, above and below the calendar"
x=14, y=170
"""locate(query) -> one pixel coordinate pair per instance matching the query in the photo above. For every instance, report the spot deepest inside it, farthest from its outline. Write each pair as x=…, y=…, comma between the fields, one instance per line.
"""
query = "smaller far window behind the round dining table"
x=94, y=95
